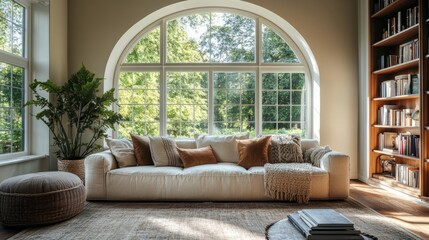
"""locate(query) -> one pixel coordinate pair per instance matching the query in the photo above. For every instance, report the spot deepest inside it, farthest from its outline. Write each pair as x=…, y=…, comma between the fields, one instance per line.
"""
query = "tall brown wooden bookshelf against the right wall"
x=389, y=40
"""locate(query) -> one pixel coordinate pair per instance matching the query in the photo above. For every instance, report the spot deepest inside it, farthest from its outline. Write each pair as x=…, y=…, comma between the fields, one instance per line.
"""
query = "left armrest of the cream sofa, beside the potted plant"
x=96, y=167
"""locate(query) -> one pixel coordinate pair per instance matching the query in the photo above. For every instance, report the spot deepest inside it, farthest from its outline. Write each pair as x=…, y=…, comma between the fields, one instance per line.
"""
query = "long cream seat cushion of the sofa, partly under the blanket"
x=210, y=182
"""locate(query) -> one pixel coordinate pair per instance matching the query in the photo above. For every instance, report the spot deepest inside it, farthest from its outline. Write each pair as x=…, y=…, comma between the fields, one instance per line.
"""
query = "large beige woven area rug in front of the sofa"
x=199, y=220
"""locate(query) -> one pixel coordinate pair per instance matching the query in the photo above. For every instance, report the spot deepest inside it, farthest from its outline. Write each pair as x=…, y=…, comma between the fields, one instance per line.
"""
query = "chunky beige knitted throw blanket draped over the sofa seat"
x=288, y=181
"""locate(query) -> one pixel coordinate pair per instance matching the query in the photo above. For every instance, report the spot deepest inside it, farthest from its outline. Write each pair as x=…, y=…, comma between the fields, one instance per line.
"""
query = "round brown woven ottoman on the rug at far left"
x=40, y=198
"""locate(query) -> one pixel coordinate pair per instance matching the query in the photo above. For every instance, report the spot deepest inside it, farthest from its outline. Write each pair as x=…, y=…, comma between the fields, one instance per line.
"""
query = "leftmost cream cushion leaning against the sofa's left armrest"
x=123, y=151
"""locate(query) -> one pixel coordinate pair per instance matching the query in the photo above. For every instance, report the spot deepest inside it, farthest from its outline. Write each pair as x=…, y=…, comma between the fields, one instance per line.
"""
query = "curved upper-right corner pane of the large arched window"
x=275, y=49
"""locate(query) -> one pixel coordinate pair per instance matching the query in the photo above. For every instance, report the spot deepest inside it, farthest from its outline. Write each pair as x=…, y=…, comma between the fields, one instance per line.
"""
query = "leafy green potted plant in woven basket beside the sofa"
x=76, y=116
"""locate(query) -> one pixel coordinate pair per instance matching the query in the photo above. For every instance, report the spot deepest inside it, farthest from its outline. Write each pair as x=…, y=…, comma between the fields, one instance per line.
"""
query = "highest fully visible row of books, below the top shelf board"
x=401, y=21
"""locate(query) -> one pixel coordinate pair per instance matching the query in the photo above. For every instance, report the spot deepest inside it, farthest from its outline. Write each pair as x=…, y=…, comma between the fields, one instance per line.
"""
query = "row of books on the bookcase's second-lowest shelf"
x=405, y=144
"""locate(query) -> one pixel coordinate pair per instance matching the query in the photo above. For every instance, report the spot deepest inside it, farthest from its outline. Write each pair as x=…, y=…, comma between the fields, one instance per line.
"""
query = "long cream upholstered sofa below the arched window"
x=211, y=182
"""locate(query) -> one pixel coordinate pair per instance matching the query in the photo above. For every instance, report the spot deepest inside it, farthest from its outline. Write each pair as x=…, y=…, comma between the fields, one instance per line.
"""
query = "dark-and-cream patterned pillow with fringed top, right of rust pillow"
x=285, y=149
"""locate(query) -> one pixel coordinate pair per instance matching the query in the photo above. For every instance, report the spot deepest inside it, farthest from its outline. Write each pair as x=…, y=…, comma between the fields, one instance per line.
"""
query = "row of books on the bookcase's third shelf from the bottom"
x=395, y=115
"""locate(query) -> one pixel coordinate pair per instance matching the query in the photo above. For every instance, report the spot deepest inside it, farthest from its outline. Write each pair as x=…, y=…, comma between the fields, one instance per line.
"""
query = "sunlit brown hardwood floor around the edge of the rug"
x=406, y=213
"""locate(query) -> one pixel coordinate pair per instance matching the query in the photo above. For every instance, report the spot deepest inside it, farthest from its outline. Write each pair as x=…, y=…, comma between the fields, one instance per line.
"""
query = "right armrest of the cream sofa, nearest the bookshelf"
x=337, y=165
